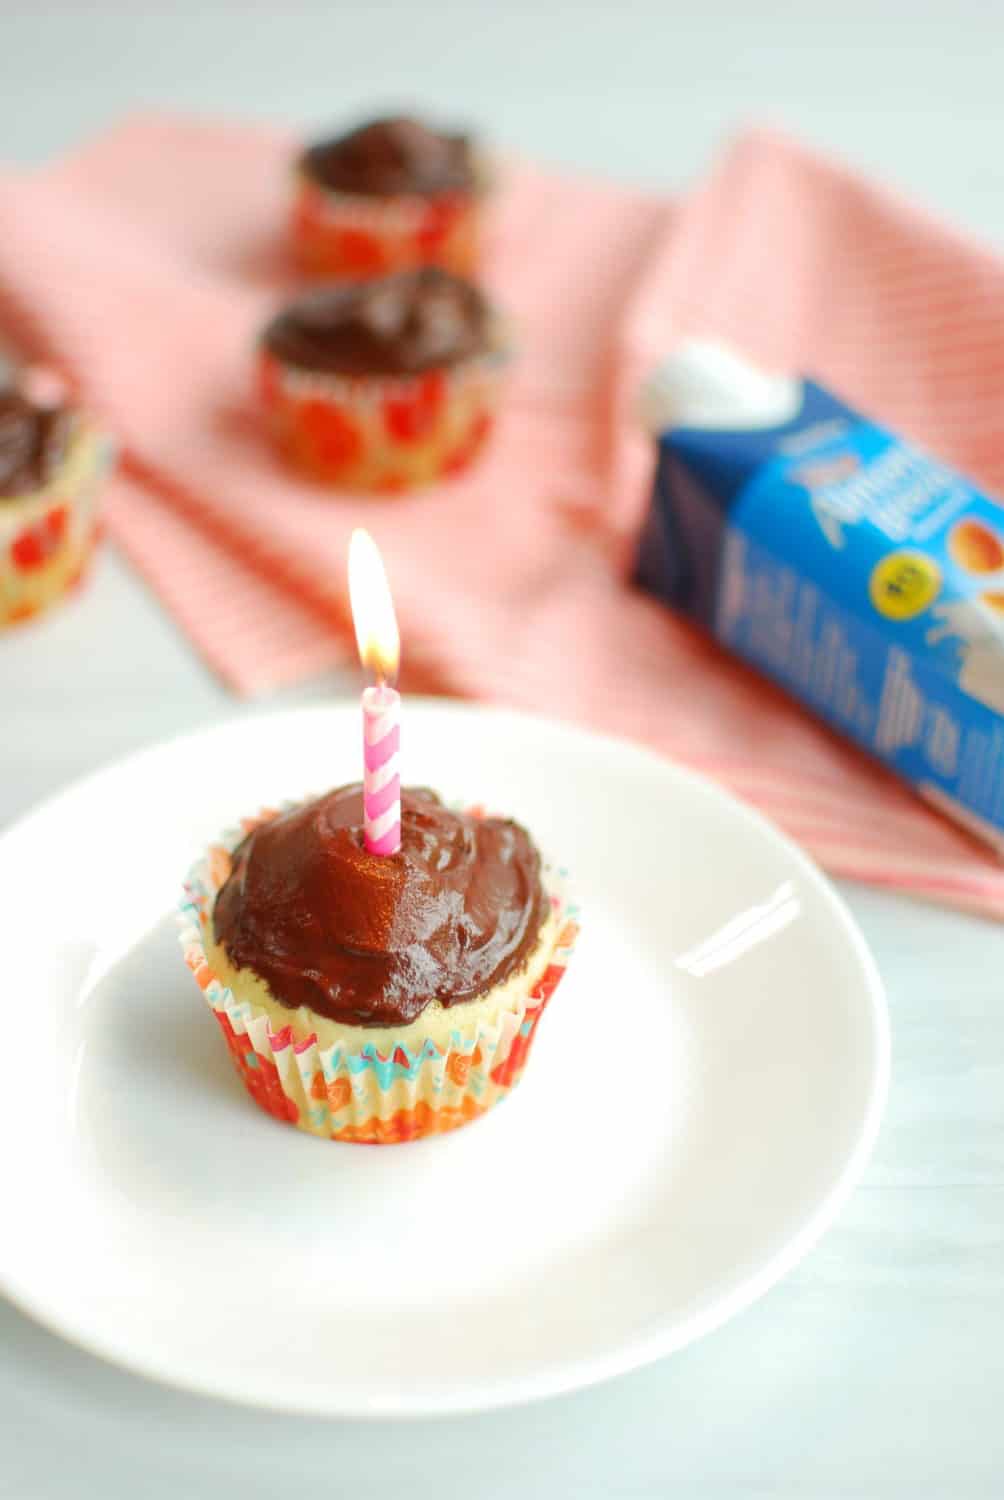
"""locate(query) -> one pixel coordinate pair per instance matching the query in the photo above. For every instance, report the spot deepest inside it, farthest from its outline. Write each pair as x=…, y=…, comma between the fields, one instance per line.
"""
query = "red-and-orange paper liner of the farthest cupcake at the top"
x=352, y=236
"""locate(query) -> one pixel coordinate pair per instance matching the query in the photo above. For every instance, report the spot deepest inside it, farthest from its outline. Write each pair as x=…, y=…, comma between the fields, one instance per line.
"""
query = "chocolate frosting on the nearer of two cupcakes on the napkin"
x=398, y=325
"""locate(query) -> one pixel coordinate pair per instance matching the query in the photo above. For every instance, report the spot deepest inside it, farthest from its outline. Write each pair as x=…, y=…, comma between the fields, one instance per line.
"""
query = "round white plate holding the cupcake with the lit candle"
x=705, y=1091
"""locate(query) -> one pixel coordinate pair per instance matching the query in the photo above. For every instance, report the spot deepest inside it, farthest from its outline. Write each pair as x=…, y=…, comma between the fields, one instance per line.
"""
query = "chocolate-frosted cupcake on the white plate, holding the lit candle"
x=371, y=998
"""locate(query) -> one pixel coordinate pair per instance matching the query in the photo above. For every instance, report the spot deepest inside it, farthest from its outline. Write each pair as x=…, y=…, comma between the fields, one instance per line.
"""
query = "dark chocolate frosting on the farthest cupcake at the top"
x=392, y=157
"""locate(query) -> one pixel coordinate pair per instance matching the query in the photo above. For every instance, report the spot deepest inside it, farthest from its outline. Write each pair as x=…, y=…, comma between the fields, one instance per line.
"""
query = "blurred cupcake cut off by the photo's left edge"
x=52, y=464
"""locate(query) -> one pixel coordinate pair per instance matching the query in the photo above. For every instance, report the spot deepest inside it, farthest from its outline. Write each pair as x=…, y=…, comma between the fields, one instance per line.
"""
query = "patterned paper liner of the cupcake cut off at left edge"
x=47, y=536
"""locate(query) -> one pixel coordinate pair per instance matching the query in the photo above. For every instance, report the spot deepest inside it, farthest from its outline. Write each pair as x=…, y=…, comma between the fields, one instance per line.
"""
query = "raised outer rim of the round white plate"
x=565, y=1376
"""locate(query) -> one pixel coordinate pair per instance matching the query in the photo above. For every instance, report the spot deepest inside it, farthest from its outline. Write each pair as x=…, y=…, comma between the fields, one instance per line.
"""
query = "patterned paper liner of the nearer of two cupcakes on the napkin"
x=380, y=433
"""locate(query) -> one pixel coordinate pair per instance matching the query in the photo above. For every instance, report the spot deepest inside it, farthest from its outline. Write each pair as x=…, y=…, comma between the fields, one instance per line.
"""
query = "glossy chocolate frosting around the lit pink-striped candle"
x=373, y=940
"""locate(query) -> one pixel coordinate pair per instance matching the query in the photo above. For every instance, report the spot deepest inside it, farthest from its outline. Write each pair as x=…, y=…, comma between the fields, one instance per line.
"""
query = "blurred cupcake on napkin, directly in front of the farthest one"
x=385, y=385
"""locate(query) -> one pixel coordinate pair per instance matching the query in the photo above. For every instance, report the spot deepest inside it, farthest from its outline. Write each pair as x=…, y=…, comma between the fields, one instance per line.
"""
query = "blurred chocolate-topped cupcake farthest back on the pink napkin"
x=389, y=196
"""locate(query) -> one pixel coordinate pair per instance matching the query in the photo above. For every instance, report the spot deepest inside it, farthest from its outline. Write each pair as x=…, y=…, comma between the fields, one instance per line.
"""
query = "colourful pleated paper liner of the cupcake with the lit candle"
x=353, y=1093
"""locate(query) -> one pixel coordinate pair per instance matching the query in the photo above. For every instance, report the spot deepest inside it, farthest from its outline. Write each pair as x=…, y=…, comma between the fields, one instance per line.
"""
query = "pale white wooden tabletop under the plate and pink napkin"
x=877, y=1370
